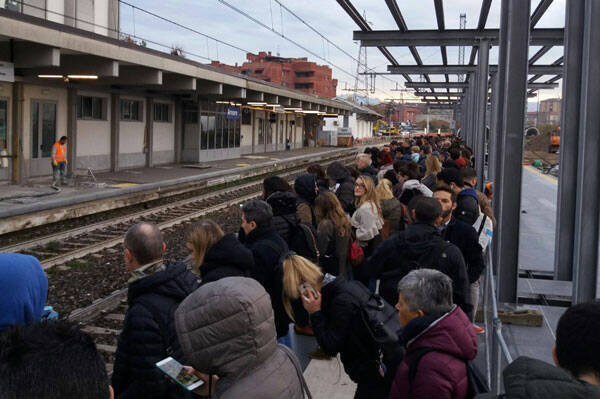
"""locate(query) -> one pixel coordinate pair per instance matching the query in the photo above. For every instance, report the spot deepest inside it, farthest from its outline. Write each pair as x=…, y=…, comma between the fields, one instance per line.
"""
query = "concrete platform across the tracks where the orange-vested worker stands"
x=15, y=200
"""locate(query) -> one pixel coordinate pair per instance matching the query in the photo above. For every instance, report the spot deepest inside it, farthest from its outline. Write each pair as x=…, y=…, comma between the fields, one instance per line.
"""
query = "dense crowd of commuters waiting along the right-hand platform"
x=380, y=262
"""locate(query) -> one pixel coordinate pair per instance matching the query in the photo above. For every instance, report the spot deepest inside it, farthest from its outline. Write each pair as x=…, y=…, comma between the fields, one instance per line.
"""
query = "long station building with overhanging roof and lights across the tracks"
x=123, y=105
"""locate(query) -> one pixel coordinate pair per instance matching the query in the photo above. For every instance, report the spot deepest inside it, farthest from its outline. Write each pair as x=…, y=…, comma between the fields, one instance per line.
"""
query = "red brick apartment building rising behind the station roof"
x=294, y=73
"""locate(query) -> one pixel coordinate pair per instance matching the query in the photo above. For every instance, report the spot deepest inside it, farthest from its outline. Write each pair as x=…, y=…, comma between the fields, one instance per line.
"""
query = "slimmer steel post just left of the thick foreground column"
x=480, y=110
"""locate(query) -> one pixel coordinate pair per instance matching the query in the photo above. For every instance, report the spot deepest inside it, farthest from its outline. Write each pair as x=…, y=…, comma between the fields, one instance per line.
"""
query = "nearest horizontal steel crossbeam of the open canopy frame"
x=451, y=37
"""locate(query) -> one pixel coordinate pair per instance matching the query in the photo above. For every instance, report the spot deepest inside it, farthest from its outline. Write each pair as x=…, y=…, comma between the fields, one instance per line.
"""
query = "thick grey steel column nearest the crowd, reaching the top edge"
x=513, y=118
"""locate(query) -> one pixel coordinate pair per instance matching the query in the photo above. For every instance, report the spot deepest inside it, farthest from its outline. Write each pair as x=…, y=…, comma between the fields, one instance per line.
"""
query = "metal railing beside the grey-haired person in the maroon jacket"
x=497, y=355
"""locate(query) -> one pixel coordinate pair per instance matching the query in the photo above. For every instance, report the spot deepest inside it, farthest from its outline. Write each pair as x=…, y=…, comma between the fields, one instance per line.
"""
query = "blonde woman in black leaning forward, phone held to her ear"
x=337, y=324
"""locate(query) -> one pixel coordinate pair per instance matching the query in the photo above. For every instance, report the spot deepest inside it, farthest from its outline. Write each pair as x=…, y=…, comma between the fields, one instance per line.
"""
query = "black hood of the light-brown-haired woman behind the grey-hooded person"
x=229, y=252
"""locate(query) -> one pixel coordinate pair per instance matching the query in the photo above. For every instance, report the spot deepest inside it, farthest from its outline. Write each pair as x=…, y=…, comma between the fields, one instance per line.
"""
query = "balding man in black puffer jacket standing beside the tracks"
x=148, y=335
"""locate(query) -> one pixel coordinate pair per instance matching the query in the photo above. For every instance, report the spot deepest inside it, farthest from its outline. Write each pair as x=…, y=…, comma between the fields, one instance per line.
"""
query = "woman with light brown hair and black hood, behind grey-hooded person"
x=217, y=255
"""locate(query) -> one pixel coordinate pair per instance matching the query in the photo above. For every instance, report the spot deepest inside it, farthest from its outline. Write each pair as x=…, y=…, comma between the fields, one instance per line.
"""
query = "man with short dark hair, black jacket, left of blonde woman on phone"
x=267, y=246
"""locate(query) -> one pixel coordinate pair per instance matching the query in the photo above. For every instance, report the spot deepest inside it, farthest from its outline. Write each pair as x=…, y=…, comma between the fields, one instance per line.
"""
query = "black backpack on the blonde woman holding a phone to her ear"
x=381, y=321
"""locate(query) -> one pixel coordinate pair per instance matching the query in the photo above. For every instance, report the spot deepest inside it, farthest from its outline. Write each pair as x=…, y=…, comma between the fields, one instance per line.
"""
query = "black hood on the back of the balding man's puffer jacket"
x=176, y=281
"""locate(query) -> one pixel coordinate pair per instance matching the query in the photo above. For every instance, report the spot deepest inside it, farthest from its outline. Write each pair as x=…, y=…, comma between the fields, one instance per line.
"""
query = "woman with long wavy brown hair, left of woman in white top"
x=333, y=235
